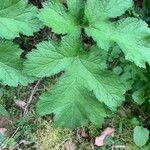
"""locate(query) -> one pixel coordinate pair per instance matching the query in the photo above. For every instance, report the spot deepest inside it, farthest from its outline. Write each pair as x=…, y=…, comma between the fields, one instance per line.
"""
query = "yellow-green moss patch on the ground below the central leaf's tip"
x=48, y=137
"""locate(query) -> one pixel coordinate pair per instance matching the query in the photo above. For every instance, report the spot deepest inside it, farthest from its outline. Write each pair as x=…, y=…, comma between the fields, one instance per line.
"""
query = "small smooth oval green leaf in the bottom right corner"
x=140, y=135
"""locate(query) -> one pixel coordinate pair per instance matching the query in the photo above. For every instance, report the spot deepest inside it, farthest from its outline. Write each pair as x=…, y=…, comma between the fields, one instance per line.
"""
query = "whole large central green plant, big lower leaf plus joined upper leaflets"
x=85, y=86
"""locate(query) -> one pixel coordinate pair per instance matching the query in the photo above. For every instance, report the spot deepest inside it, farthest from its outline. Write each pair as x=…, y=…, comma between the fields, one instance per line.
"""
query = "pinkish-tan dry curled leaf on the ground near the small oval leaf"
x=99, y=141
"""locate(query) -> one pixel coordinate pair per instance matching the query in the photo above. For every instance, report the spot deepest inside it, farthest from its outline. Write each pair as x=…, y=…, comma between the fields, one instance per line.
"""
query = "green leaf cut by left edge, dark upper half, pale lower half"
x=11, y=65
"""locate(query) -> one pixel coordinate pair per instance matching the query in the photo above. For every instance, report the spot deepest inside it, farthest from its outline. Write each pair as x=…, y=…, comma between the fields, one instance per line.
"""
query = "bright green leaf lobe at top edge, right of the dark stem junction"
x=97, y=10
